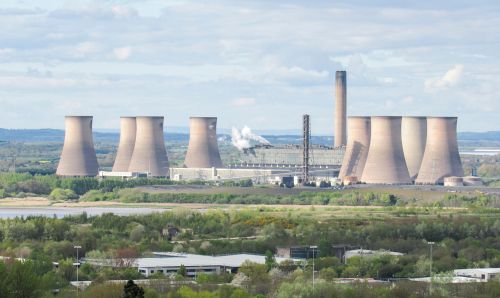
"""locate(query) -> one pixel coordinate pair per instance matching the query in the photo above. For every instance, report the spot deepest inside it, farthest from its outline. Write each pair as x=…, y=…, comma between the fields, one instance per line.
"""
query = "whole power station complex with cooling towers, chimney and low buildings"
x=377, y=150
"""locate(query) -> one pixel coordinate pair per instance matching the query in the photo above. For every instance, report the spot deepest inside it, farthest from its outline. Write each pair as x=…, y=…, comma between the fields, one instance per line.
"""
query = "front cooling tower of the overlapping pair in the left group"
x=149, y=153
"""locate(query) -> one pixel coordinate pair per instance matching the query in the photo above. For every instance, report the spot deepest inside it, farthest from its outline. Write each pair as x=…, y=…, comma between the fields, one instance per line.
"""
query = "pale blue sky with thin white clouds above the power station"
x=256, y=63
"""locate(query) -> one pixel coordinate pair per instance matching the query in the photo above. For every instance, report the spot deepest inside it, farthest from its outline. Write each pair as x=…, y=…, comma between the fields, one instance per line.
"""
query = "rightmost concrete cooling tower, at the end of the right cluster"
x=441, y=158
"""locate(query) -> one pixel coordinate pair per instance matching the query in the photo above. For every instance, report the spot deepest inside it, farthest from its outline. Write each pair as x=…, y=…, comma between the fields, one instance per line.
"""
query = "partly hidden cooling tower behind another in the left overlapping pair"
x=127, y=143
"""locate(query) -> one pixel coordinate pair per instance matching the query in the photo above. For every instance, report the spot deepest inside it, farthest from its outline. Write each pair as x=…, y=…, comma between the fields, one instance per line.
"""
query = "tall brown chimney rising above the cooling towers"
x=340, y=108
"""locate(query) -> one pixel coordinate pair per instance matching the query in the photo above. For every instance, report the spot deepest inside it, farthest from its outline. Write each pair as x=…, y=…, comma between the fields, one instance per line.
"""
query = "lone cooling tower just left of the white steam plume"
x=203, y=150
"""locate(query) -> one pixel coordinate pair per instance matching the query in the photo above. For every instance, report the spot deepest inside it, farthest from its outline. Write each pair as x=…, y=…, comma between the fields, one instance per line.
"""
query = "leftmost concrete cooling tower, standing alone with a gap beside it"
x=78, y=156
